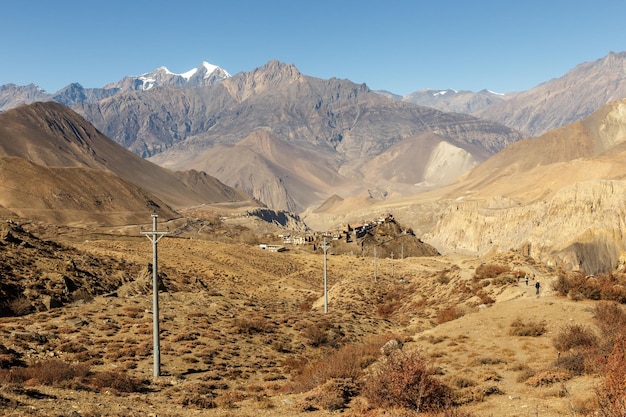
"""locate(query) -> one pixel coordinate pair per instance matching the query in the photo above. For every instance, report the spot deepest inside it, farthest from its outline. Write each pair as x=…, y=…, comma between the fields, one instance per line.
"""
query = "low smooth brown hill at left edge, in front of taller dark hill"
x=74, y=195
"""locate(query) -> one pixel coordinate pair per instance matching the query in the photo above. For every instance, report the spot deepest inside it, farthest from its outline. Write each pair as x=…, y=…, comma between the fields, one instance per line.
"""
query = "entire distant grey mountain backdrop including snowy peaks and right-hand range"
x=179, y=120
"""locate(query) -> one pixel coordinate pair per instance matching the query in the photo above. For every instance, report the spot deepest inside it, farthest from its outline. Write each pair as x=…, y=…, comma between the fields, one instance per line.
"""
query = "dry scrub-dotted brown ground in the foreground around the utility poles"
x=243, y=332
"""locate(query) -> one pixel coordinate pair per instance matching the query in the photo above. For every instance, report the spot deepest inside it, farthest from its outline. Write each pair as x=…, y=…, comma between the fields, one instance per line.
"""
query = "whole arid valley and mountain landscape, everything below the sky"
x=324, y=248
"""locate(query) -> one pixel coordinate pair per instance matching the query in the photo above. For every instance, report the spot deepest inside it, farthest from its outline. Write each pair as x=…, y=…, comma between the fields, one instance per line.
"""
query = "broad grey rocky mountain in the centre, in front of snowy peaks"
x=335, y=123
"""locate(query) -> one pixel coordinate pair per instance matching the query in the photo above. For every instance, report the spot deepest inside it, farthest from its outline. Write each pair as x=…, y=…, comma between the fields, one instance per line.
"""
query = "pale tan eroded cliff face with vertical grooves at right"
x=581, y=227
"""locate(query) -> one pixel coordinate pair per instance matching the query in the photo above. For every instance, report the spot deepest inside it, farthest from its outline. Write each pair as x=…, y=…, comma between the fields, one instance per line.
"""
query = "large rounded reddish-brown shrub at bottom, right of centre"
x=406, y=380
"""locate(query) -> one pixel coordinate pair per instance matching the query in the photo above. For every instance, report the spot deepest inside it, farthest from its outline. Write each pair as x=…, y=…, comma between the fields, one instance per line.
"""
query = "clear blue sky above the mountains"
x=399, y=46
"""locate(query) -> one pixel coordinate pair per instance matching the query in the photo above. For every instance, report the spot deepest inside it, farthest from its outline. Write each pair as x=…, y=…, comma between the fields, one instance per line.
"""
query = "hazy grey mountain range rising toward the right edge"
x=551, y=104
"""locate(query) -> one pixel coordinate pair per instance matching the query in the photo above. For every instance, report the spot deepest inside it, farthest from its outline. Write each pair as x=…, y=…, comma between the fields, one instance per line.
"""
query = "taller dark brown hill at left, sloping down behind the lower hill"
x=52, y=135
